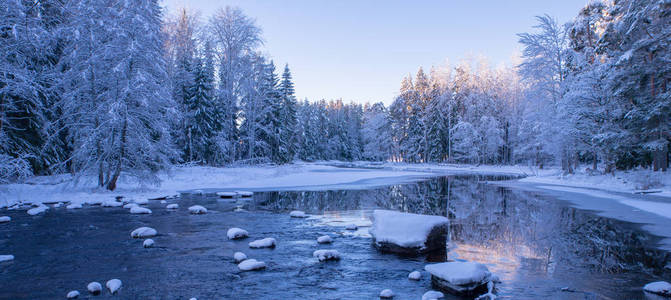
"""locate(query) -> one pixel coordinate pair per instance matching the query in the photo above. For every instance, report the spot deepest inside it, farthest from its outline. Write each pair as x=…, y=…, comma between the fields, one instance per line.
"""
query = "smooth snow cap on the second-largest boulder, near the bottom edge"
x=459, y=272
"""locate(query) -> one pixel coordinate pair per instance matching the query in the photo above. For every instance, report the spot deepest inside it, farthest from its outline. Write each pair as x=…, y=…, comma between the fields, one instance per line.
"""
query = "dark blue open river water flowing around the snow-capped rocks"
x=540, y=247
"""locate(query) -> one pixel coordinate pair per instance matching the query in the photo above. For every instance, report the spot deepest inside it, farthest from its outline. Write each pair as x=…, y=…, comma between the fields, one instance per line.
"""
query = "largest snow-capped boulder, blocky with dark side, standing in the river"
x=407, y=233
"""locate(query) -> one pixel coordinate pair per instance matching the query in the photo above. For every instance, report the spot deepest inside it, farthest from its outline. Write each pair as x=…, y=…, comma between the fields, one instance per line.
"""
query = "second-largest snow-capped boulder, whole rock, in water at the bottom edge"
x=460, y=278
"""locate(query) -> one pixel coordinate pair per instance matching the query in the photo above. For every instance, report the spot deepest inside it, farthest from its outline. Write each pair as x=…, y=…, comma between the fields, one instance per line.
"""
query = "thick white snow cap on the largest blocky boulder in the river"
x=403, y=229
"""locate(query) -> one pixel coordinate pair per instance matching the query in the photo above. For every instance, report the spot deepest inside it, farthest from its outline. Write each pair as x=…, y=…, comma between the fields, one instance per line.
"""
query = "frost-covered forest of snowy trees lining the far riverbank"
x=116, y=87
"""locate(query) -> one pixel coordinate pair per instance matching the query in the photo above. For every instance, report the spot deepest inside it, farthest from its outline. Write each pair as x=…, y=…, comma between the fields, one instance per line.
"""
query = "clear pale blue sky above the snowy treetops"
x=359, y=50
